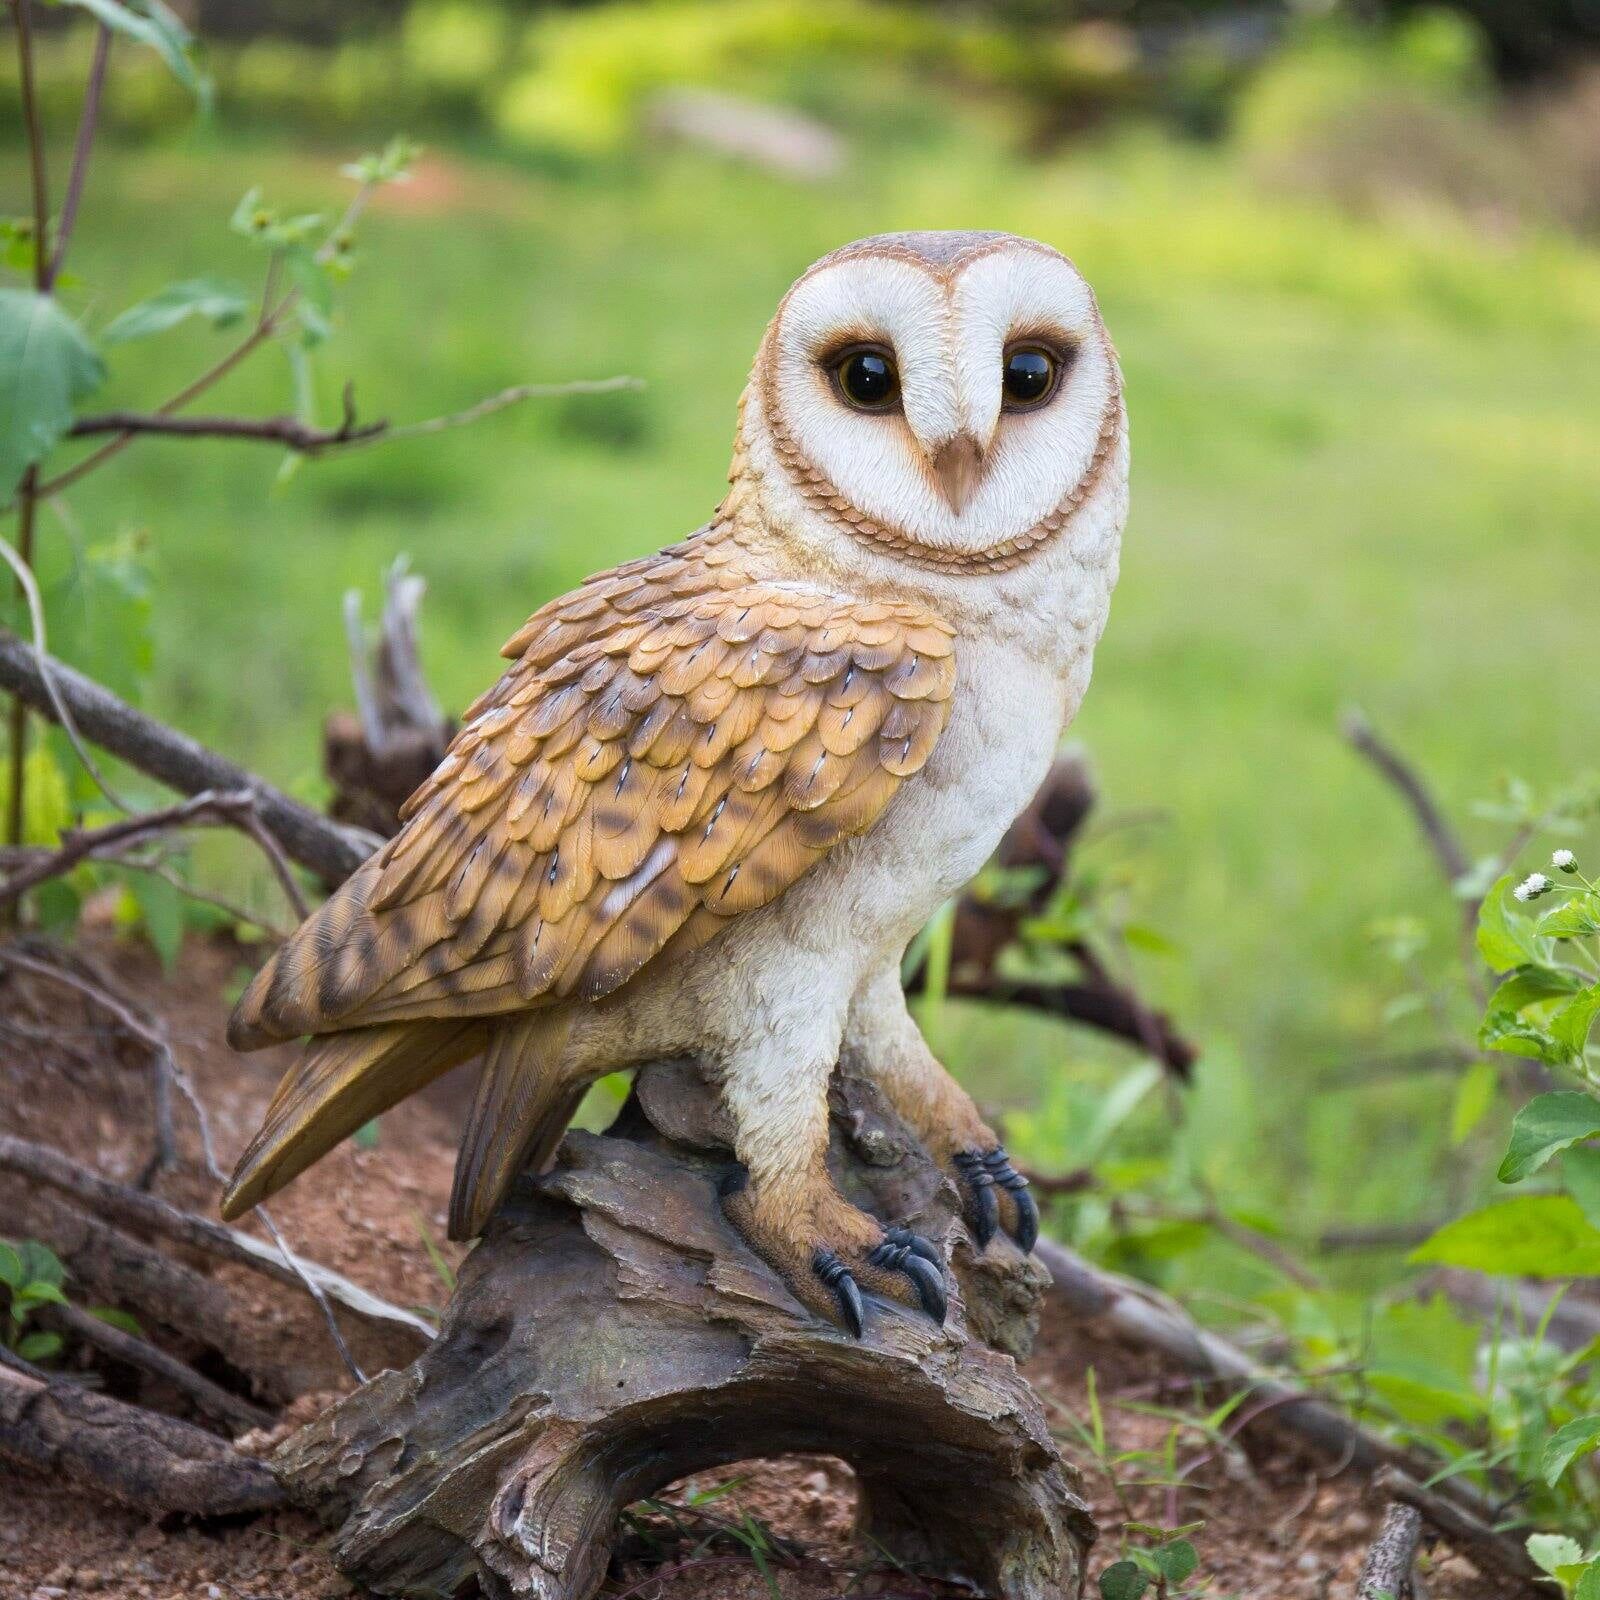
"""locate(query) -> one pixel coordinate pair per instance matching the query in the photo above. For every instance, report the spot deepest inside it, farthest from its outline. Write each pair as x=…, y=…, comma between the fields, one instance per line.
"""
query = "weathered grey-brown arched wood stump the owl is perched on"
x=612, y=1335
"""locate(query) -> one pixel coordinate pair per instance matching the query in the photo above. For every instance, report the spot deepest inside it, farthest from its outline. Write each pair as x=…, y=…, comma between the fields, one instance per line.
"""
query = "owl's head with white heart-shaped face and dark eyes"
x=948, y=398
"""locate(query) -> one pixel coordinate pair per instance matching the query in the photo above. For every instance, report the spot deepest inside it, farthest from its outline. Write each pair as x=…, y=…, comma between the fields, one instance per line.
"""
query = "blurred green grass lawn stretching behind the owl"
x=1366, y=470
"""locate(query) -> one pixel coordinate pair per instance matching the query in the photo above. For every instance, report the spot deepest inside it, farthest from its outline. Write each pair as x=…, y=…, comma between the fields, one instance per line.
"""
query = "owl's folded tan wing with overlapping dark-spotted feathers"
x=676, y=745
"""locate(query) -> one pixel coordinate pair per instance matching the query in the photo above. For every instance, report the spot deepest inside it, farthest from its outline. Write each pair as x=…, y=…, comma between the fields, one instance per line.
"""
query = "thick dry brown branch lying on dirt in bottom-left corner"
x=150, y=1462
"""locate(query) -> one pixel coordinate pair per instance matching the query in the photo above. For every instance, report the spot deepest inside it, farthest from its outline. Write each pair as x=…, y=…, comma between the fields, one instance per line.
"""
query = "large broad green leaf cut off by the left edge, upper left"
x=46, y=366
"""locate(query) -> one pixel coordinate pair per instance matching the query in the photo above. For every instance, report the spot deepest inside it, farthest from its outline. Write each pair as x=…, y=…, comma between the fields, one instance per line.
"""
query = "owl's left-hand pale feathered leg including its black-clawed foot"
x=833, y=1257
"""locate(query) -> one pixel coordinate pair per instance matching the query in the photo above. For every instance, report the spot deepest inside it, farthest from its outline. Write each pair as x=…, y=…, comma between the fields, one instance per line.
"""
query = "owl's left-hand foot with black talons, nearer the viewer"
x=842, y=1260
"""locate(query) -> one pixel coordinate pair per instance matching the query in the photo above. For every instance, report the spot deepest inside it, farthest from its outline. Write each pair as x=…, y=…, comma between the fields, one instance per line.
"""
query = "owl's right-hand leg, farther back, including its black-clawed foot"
x=884, y=1041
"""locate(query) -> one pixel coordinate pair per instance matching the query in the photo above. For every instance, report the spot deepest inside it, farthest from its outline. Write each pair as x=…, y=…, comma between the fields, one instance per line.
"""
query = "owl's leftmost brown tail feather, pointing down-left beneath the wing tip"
x=342, y=1082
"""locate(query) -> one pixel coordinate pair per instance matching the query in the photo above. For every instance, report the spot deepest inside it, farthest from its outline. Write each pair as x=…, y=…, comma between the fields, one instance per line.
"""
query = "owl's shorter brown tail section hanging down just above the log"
x=521, y=1111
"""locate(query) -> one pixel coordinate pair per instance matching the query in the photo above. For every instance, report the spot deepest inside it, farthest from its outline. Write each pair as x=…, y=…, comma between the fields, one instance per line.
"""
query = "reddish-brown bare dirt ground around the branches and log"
x=1274, y=1527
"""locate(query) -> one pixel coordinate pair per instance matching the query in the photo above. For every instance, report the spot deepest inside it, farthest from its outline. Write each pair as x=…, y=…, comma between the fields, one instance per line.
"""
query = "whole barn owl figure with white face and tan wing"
x=719, y=790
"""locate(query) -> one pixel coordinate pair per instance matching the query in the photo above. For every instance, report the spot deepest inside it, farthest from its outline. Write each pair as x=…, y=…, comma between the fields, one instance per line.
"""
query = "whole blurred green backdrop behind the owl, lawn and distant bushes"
x=1350, y=263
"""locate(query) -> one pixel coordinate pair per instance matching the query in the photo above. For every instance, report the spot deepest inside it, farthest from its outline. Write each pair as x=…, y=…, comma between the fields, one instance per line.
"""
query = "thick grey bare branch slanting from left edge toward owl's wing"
x=177, y=761
